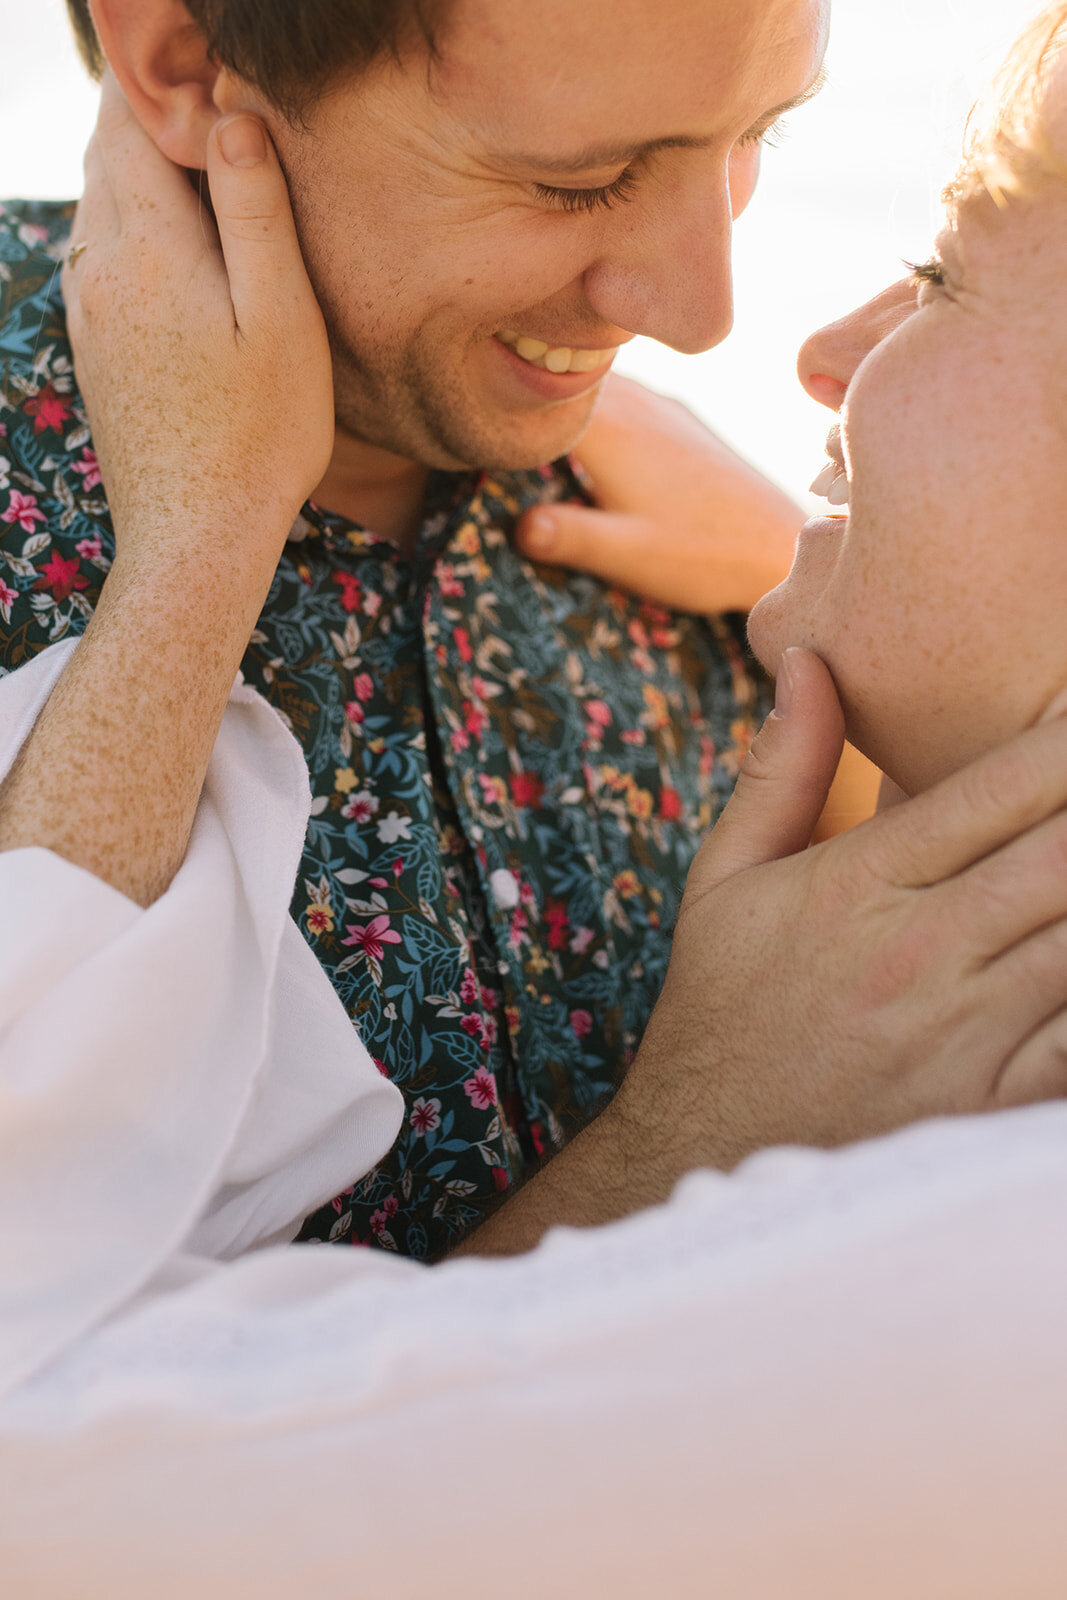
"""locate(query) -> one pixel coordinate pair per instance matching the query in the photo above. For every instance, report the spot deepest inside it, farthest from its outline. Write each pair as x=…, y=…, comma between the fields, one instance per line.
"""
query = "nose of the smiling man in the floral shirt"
x=669, y=279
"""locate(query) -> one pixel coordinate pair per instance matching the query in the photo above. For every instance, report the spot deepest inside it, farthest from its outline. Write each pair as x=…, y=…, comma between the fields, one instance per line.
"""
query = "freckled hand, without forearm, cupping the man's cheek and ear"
x=199, y=346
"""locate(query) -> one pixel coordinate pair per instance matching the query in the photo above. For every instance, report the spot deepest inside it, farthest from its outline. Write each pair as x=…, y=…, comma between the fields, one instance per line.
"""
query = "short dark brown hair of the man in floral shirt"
x=292, y=50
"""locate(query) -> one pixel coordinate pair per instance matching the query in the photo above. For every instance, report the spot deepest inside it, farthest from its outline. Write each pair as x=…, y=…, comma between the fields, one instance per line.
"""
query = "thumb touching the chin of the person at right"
x=785, y=778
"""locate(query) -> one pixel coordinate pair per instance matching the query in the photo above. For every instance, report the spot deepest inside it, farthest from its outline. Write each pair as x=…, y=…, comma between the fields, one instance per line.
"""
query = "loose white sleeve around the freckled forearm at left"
x=170, y=1079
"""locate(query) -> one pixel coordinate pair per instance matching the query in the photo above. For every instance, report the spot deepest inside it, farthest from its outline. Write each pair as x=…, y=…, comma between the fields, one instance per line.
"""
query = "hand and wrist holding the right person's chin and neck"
x=909, y=969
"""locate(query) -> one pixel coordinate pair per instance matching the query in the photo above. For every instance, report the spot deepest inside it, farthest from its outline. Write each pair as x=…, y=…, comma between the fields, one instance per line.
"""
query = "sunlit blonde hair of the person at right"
x=1010, y=151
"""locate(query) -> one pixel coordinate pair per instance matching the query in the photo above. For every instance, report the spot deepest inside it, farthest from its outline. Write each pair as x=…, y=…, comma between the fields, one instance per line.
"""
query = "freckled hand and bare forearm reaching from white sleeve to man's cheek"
x=206, y=369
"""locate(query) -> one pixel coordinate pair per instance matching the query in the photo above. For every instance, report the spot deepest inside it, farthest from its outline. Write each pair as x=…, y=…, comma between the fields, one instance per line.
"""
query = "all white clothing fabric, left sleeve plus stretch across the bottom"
x=828, y=1375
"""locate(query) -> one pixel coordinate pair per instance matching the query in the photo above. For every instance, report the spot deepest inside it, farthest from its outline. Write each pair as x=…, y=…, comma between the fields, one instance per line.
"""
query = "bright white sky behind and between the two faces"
x=852, y=191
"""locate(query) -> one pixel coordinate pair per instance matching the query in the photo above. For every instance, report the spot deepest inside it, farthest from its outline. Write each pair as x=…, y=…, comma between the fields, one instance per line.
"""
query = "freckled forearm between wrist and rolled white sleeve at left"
x=111, y=775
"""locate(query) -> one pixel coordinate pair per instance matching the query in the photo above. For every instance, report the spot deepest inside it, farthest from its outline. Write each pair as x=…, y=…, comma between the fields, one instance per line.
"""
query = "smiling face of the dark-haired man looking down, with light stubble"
x=503, y=193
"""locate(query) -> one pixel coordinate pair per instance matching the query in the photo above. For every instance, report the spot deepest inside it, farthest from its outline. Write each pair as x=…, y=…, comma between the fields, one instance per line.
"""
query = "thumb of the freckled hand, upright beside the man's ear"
x=255, y=222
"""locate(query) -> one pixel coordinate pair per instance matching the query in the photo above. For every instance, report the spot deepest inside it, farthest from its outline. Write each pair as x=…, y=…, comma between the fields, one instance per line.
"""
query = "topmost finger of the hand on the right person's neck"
x=973, y=814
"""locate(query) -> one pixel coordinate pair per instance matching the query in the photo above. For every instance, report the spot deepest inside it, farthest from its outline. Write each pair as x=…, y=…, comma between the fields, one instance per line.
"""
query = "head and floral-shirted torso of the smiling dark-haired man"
x=511, y=770
